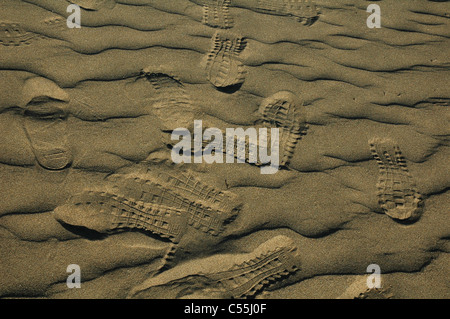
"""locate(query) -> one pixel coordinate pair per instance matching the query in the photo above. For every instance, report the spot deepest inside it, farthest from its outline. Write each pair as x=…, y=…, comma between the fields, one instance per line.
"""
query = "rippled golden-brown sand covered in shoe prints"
x=86, y=176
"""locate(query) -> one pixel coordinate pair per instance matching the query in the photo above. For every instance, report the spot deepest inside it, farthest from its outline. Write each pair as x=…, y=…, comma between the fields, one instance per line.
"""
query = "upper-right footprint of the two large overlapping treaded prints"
x=207, y=208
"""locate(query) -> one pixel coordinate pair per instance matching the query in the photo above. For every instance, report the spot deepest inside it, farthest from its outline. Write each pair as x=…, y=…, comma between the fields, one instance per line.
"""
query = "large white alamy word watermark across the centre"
x=242, y=146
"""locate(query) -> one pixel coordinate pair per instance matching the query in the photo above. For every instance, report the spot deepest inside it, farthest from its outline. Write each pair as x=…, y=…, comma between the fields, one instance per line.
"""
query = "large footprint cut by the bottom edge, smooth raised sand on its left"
x=226, y=276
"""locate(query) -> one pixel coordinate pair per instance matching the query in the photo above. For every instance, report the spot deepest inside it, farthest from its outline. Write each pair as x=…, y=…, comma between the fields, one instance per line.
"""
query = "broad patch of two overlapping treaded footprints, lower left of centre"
x=161, y=201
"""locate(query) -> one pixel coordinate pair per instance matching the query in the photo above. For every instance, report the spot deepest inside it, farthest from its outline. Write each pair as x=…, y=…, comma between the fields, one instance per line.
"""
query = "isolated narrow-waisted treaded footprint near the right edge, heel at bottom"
x=397, y=193
